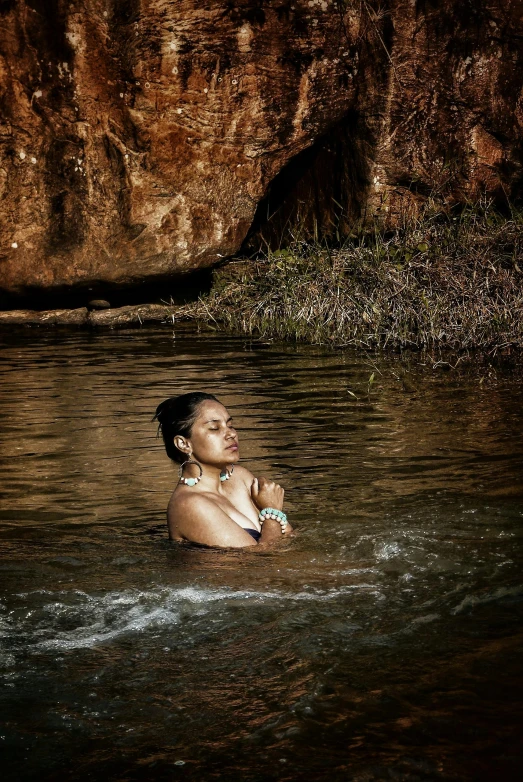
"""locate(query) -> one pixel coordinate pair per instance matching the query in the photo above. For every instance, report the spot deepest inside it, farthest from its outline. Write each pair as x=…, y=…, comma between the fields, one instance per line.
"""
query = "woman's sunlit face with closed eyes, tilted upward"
x=213, y=438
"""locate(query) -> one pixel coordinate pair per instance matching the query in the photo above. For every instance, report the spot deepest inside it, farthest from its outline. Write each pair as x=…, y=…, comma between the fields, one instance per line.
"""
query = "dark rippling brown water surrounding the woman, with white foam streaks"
x=384, y=642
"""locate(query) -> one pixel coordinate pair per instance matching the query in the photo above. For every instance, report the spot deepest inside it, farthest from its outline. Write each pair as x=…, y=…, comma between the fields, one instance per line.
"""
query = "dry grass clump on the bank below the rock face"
x=446, y=279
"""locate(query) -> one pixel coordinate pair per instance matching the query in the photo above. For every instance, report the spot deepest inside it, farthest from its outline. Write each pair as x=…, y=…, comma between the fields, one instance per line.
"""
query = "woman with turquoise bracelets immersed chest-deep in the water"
x=216, y=502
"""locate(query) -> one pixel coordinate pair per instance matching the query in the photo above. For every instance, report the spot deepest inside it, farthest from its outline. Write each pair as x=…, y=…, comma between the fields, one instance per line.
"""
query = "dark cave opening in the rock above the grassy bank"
x=320, y=194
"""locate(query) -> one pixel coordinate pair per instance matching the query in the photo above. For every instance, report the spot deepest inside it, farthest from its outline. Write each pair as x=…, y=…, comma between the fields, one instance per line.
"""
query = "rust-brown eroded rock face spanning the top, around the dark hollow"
x=138, y=137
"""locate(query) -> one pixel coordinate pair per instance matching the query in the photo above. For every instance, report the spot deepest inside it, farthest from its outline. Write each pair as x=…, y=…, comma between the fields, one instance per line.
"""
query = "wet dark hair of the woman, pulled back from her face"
x=176, y=416
